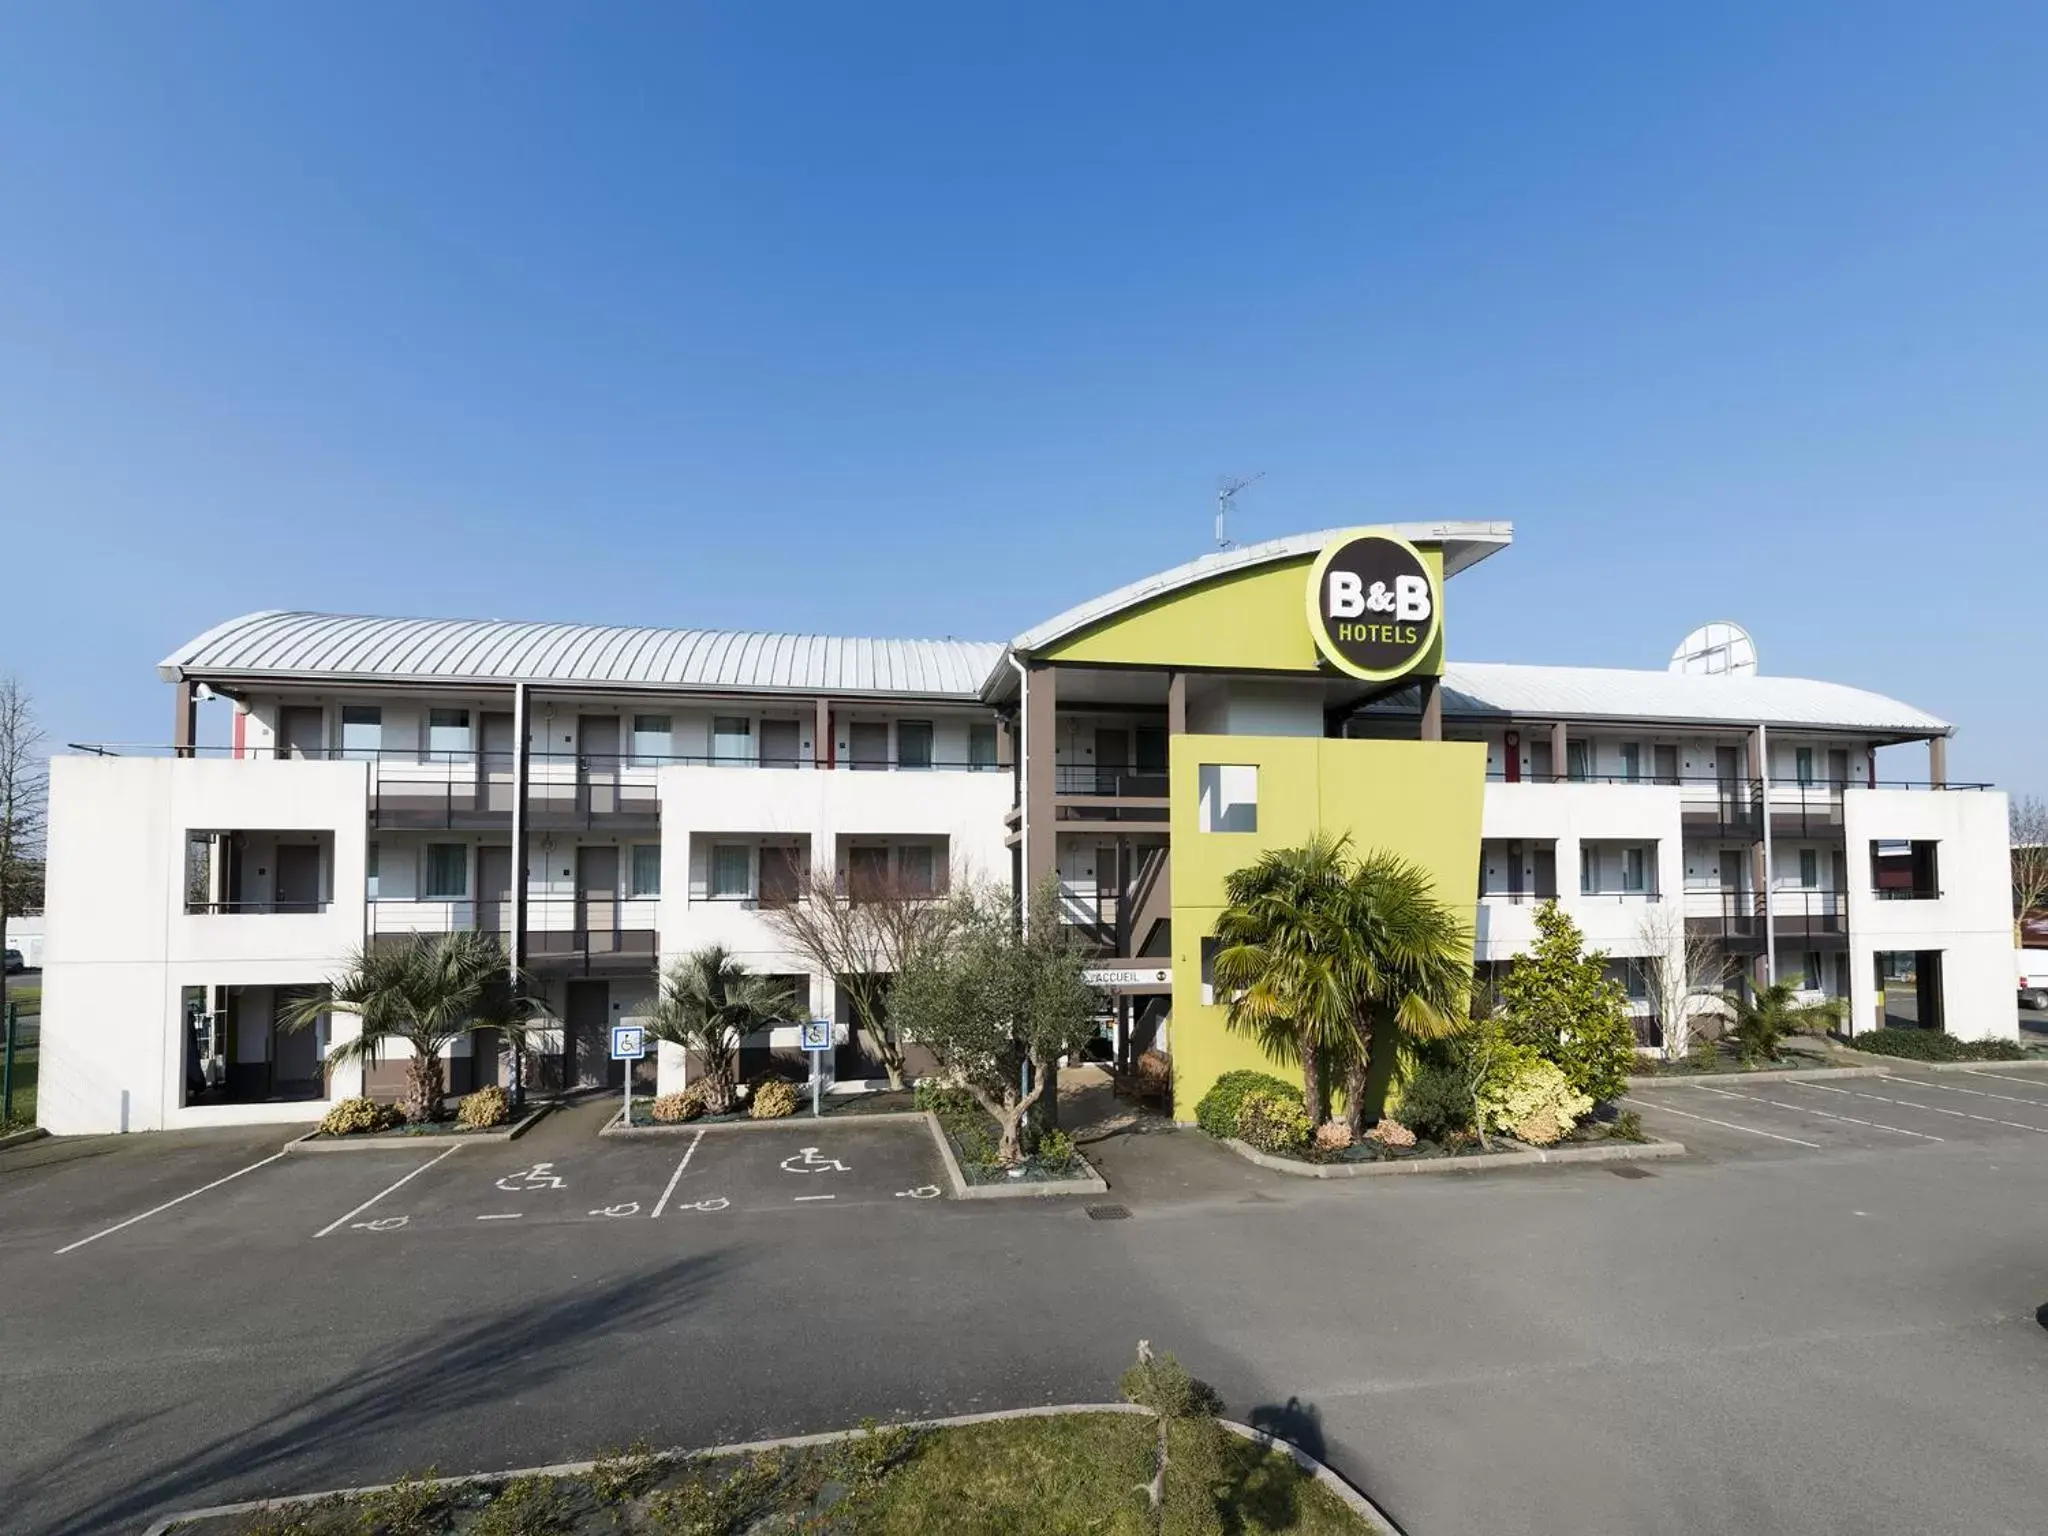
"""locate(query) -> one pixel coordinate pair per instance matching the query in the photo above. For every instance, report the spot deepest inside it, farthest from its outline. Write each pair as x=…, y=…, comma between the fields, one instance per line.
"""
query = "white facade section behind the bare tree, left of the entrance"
x=822, y=806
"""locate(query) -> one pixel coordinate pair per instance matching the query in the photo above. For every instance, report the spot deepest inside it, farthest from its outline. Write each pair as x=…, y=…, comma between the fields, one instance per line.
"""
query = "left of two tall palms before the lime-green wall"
x=1279, y=959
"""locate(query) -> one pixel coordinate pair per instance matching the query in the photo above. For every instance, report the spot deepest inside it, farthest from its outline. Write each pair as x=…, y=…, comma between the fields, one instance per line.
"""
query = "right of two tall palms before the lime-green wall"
x=1408, y=959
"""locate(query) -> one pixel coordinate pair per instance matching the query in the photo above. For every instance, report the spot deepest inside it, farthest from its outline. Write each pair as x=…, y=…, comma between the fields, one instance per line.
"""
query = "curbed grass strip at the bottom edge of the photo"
x=1013, y=1478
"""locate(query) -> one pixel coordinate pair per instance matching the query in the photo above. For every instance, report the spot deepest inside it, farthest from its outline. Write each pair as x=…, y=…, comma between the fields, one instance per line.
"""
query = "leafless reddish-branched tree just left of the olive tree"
x=859, y=939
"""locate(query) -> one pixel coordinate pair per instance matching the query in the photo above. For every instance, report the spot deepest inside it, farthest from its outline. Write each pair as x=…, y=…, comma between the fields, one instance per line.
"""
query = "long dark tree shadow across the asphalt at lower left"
x=398, y=1392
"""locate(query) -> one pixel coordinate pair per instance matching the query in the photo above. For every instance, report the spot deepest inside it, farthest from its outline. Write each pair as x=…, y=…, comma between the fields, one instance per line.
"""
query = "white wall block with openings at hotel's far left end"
x=122, y=947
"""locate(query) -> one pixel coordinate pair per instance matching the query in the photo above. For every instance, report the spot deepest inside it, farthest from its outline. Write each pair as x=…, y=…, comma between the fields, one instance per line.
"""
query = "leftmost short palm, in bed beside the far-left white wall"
x=427, y=994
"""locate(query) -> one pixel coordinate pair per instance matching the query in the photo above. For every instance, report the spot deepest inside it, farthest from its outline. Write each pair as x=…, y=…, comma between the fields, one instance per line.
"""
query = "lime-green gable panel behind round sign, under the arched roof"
x=1248, y=622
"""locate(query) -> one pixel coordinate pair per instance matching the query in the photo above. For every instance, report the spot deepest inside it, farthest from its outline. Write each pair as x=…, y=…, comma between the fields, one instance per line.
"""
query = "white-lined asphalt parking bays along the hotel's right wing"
x=1764, y=1115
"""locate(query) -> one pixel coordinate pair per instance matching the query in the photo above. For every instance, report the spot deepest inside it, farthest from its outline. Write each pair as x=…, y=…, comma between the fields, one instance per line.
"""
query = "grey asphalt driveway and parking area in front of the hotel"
x=1830, y=1328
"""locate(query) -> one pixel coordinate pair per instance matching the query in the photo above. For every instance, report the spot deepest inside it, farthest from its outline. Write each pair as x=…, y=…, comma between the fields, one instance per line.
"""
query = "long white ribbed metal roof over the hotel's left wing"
x=343, y=648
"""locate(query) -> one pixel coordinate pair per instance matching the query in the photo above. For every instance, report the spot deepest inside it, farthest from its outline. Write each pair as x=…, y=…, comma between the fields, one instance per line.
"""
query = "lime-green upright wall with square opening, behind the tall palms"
x=1420, y=800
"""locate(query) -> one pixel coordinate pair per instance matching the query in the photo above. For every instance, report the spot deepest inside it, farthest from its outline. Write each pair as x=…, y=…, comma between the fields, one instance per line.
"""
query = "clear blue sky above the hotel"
x=925, y=321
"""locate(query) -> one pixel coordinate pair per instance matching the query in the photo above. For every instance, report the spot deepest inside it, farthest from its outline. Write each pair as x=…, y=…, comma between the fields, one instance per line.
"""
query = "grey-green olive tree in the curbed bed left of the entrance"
x=992, y=1000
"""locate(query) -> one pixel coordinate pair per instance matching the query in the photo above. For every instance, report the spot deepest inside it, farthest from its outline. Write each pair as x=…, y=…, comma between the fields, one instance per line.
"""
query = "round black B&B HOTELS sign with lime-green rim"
x=1375, y=607
